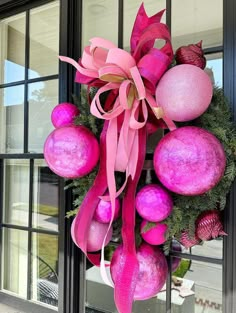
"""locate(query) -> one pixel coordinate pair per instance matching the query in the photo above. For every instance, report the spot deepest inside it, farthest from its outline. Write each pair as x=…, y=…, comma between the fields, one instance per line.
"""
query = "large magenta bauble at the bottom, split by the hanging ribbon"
x=152, y=274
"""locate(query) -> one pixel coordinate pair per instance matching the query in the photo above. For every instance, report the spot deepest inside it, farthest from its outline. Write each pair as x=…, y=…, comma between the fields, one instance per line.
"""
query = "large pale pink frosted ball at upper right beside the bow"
x=184, y=92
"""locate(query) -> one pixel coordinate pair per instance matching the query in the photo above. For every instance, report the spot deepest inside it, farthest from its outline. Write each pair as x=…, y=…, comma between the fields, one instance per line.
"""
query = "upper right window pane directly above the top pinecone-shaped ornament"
x=193, y=21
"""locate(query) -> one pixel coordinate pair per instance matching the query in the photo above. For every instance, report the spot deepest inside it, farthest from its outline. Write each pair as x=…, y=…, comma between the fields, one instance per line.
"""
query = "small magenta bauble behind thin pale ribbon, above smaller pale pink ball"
x=103, y=211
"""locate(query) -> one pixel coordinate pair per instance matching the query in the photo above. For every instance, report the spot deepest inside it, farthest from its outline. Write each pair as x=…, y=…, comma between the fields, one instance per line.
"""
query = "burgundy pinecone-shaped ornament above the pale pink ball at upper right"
x=191, y=54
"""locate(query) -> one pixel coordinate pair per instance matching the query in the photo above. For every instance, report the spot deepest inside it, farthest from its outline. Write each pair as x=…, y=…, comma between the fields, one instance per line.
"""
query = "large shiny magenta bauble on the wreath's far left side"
x=71, y=151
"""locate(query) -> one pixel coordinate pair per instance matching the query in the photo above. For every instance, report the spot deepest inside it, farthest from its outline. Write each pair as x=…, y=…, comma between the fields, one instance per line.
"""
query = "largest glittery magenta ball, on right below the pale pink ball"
x=189, y=161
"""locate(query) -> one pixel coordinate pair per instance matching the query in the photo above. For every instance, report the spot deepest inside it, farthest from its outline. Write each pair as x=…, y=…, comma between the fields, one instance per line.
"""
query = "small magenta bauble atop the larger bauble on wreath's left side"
x=63, y=114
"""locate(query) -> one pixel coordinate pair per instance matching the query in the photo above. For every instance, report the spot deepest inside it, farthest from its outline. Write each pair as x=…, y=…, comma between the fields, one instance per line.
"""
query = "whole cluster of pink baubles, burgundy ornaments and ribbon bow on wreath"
x=137, y=93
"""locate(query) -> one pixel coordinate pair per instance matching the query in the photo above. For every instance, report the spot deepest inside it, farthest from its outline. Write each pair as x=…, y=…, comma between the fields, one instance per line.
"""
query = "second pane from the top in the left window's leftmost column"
x=12, y=119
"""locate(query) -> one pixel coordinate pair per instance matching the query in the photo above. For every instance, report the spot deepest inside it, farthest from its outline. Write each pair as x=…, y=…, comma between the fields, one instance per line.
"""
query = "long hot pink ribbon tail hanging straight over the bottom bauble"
x=129, y=267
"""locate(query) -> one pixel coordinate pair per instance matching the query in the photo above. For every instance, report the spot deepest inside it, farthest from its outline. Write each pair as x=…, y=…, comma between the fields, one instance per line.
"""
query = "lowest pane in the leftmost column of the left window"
x=15, y=261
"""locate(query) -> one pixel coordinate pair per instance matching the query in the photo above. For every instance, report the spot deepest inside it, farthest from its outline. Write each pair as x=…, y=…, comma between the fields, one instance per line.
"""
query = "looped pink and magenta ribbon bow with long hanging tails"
x=130, y=79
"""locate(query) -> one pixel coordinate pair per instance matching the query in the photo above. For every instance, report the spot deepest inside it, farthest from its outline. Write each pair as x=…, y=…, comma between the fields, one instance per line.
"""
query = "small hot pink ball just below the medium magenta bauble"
x=155, y=235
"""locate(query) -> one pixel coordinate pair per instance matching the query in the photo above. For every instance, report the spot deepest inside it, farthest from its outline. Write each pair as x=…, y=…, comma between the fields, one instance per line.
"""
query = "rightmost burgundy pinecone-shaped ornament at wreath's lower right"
x=209, y=225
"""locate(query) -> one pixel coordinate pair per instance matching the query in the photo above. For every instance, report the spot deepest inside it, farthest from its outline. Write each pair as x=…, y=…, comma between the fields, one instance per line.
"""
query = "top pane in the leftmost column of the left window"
x=12, y=49
